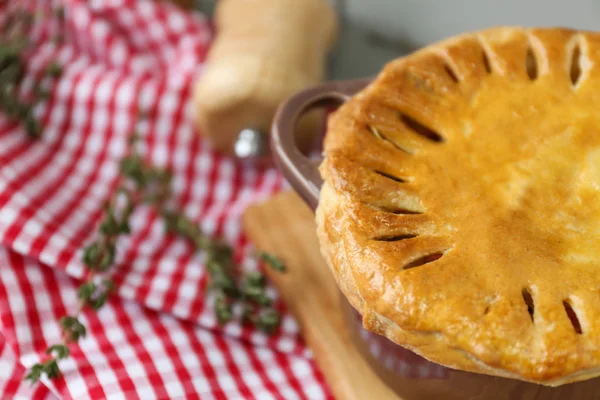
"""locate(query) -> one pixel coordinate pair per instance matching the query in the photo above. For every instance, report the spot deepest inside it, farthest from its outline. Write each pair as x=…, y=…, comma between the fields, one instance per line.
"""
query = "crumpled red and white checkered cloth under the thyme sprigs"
x=158, y=338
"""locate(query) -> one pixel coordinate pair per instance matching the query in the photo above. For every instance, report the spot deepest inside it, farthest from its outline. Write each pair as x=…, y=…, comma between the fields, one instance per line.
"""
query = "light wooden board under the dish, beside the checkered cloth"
x=285, y=226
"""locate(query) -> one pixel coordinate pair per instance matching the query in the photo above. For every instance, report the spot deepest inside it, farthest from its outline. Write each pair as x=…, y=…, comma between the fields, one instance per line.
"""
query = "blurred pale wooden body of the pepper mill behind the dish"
x=265, y=51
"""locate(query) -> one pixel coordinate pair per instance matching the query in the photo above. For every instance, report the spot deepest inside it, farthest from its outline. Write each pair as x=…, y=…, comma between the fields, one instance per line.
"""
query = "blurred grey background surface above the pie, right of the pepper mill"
x=375, y=31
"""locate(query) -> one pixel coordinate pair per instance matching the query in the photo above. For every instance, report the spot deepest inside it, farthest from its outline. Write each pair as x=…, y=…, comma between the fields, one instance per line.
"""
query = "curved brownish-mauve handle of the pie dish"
x=301, y=171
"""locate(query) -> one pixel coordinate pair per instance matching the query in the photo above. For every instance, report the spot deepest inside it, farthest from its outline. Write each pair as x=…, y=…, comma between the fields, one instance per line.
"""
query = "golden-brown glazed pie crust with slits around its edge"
x=461, y=207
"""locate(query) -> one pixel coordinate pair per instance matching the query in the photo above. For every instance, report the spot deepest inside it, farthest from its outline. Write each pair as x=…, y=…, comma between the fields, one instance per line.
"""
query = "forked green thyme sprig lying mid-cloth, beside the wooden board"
x=143, y=183
